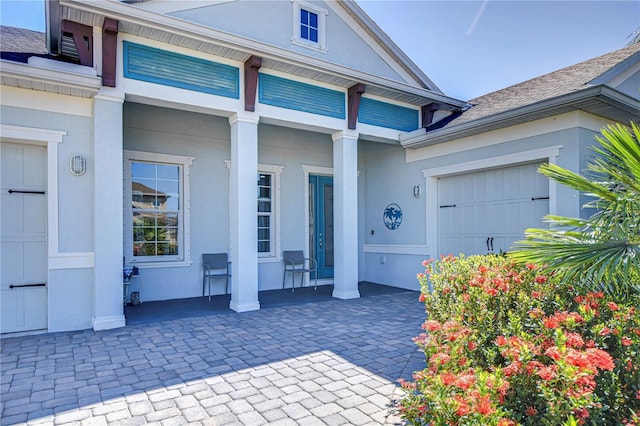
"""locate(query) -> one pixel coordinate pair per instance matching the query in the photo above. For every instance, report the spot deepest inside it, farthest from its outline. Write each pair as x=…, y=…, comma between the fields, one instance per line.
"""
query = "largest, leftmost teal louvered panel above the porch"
x=185, y=72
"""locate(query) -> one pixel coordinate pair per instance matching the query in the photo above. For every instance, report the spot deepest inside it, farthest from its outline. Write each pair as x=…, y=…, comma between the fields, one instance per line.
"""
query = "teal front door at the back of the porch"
x=321, y=223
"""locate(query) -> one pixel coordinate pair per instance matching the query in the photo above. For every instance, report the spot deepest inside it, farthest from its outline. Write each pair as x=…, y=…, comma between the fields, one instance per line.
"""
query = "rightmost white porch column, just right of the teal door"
x=345, y=214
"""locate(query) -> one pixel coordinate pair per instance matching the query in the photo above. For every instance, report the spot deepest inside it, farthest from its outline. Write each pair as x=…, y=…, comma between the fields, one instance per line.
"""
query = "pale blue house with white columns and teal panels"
x=155, y=131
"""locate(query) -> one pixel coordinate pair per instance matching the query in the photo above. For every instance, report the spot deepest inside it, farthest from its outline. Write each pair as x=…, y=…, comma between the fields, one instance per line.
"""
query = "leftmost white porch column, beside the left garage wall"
x=107, y=212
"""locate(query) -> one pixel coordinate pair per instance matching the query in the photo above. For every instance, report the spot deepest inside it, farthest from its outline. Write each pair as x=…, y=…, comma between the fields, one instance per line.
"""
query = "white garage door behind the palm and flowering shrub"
x=487, y=211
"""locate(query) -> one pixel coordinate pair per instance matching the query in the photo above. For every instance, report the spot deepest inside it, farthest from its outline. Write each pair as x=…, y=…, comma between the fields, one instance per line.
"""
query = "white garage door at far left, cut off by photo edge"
x=23, y=291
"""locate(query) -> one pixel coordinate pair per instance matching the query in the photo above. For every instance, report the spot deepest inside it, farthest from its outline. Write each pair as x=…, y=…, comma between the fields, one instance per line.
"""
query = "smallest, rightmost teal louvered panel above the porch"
x=391, y=116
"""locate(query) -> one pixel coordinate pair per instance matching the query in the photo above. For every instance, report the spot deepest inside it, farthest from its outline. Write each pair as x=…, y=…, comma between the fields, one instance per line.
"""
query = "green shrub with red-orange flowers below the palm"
x=506, y=345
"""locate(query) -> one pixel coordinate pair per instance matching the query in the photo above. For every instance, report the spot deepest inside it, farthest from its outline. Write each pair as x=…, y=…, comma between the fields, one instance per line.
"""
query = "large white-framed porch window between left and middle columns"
x=157, y=211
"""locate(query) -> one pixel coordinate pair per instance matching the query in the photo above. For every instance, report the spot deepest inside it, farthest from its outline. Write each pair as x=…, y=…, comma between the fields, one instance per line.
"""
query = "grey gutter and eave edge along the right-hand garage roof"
x=420, y=138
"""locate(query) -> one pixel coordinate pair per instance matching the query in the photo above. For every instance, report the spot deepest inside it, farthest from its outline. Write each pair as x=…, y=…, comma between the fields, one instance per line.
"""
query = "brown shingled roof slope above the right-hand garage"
x=561, y=82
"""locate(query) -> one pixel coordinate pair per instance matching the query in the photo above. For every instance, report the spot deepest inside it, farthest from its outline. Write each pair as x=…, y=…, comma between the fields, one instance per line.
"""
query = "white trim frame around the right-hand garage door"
x=549, y=154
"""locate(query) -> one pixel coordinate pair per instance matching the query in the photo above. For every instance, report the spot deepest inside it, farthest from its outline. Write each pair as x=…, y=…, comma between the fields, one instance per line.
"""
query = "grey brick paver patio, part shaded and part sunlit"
x=326, y=363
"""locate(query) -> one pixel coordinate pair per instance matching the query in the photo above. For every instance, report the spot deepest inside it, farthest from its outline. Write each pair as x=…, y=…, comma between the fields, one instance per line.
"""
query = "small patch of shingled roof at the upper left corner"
x=18, y=44
